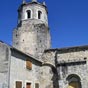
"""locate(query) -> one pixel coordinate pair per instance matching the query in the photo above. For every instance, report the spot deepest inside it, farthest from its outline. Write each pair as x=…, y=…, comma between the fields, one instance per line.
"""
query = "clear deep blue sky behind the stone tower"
x=68, y=21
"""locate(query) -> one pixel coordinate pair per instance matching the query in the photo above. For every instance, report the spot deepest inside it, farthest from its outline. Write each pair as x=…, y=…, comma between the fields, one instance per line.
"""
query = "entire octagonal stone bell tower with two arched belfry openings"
x=32, y=33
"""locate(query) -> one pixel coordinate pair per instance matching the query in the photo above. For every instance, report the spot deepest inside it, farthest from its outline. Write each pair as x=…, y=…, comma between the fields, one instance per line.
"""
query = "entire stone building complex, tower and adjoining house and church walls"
x=31, y=62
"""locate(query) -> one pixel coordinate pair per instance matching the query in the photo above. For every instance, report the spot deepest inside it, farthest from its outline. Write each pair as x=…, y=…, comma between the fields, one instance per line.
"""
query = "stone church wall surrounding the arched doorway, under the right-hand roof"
x=73, y=63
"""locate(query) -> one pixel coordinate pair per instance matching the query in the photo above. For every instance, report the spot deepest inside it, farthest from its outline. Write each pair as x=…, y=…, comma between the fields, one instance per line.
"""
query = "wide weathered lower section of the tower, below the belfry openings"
x=32, y=37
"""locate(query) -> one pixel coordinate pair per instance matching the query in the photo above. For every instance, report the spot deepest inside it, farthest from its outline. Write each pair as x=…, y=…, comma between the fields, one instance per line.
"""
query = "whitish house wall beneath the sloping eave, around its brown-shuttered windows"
x=19, y=72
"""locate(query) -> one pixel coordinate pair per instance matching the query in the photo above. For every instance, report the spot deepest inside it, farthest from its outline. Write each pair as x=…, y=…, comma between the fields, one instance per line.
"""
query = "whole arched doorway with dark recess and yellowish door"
x=74, y=81
